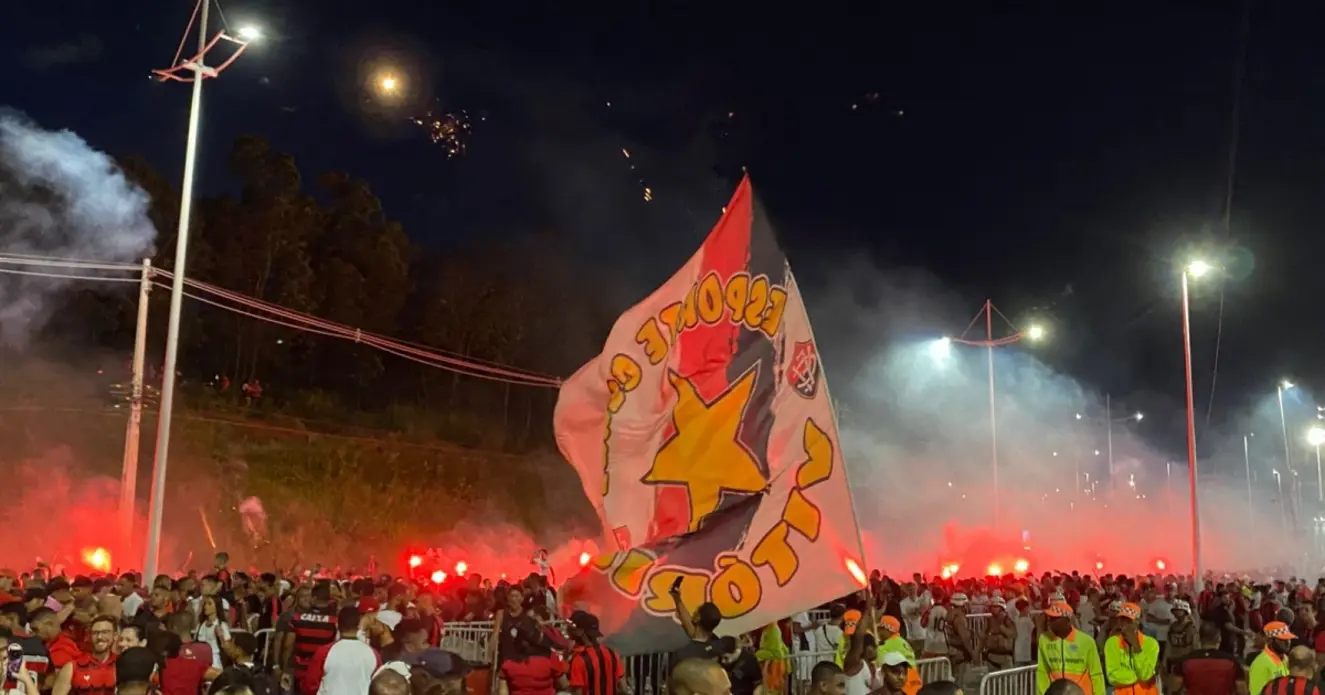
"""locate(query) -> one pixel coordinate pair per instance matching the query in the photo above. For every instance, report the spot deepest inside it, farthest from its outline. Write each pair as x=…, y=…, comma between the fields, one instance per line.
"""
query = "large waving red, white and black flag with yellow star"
x=706, y=439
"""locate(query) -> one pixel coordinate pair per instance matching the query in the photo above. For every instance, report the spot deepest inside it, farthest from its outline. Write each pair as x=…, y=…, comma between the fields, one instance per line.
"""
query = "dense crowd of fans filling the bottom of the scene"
x=239, y=633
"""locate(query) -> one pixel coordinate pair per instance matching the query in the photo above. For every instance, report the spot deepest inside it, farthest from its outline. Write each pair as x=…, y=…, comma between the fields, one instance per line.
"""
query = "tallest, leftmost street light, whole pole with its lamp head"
x=184, y=71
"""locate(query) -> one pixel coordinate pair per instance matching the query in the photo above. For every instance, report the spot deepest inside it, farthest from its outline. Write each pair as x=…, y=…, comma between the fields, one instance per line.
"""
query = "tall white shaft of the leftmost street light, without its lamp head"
x=177, y=296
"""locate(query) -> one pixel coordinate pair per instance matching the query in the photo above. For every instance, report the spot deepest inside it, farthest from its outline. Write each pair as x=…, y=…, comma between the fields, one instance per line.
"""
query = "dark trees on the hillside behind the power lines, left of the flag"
x=328, y=248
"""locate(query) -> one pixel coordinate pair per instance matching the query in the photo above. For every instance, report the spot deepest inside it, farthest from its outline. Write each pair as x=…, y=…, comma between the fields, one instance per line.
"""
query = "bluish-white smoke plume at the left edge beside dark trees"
x=60, y=198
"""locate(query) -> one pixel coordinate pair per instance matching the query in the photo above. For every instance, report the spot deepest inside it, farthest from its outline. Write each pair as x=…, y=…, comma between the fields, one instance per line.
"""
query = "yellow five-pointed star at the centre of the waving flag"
x=706, y=453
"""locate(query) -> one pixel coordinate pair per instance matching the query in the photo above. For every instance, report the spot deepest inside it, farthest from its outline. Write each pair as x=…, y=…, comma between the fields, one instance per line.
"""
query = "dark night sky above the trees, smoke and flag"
x=1054, y=156
